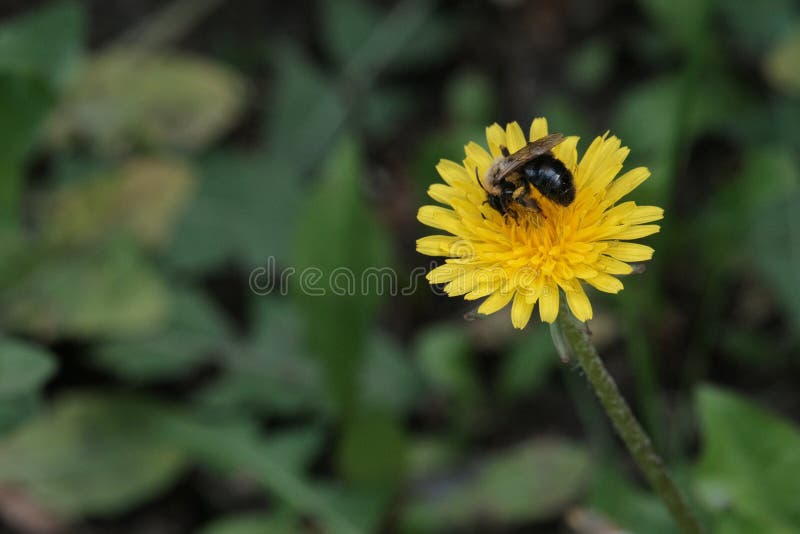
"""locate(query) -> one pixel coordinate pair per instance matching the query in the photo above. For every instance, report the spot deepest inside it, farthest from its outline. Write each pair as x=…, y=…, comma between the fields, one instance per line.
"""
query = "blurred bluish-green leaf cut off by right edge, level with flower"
x=775, y=244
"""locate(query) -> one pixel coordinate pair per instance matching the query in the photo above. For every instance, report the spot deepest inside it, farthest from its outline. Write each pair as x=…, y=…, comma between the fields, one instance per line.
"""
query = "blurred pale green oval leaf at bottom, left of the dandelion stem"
x=533, y=481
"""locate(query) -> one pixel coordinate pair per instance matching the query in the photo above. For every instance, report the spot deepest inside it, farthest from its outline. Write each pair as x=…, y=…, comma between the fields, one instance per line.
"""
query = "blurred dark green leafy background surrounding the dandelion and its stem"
x=153, y=154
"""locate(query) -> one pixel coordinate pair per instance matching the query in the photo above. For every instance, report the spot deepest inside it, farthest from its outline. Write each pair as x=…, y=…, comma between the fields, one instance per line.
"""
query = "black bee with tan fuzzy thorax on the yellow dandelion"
x=509, y=179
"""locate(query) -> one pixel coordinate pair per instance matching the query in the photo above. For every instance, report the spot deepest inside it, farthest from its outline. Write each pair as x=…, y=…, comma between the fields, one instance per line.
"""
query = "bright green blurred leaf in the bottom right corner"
x=749, y=462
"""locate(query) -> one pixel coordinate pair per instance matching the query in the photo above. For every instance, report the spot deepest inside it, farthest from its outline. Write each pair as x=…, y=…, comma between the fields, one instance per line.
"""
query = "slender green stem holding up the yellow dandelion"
x=628, y=428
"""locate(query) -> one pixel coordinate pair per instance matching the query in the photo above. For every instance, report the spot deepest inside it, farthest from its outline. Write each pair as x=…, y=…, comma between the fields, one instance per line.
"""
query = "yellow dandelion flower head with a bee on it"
x=532, y=257
